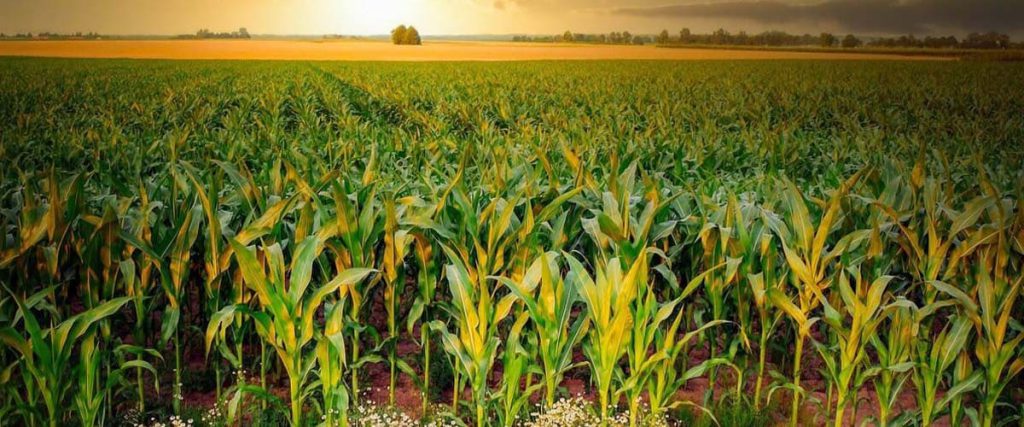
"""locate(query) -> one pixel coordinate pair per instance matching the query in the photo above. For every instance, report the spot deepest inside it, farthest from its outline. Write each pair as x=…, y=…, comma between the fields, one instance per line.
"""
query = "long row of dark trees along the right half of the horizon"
x=990, y=40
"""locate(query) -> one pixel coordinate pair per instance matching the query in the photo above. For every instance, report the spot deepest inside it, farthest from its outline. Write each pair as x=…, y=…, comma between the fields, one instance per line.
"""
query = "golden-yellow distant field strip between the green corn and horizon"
x=377, y=51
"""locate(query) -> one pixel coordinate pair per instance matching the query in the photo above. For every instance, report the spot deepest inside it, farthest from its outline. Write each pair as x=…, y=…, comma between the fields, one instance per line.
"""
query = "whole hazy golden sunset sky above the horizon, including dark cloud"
x=513, y=17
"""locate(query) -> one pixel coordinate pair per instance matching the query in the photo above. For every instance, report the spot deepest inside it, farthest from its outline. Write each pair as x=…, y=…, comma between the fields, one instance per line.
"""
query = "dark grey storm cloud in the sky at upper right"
x=859, y=16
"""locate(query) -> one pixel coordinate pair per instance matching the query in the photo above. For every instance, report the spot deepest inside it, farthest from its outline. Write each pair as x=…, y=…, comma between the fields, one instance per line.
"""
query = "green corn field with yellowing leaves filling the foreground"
x=265, y=243
